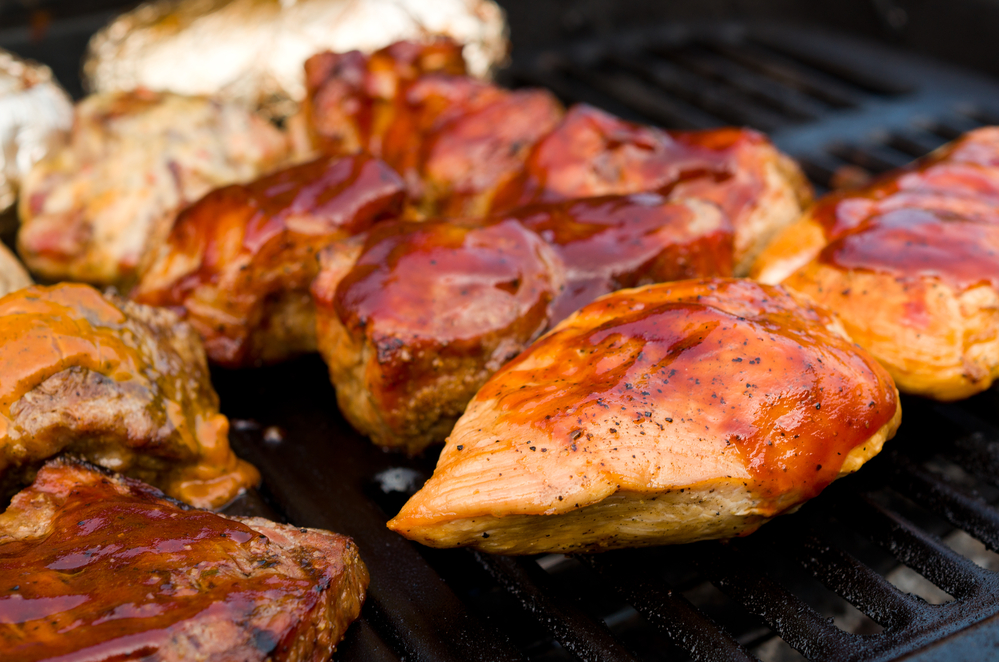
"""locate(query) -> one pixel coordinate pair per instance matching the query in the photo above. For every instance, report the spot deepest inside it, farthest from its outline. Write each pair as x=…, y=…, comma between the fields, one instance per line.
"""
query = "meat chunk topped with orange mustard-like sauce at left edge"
x=120, y=384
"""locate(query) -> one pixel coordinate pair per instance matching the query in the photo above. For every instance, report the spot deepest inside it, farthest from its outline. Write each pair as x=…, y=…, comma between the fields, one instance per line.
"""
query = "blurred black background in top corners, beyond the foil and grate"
x=959, y=31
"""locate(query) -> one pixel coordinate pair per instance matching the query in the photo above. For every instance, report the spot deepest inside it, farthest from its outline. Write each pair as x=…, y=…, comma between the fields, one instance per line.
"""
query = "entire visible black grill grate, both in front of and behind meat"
x=895, y=562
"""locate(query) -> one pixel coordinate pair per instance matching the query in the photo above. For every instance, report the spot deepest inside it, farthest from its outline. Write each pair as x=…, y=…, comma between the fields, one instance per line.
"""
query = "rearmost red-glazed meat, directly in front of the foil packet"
x=455, y=139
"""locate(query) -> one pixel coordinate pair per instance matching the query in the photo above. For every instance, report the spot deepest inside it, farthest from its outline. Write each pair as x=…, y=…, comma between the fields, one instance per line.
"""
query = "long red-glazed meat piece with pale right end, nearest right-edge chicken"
x=593, y=153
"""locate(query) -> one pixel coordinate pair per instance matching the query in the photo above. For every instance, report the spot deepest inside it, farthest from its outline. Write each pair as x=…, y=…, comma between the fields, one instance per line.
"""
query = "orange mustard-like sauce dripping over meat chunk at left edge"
x=47, y=330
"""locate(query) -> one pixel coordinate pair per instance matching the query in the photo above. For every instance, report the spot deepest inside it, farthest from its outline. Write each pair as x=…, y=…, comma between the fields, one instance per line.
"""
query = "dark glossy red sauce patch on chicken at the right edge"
x=919, y=242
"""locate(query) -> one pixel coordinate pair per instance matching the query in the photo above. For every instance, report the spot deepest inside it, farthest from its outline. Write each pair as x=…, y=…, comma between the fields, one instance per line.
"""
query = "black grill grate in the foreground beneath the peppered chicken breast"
x=789, y=587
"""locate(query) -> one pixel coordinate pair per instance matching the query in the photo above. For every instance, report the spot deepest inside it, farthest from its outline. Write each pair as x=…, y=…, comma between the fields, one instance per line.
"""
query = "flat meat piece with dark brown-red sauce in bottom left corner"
x=96, y=566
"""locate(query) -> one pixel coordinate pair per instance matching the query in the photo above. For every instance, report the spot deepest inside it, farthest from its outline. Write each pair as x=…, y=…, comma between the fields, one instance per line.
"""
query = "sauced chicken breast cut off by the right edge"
x=911, y=266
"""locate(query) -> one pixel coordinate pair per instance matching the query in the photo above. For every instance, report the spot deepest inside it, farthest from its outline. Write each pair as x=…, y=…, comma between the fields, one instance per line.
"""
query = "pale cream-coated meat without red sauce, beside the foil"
x=91, y=209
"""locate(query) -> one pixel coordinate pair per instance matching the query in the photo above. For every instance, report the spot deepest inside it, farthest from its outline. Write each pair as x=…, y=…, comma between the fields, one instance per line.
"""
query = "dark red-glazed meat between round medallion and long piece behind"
x=612, y=242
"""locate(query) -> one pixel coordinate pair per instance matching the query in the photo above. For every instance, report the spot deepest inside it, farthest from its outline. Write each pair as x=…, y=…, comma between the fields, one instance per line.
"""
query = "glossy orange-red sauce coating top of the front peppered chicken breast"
x=790, y=397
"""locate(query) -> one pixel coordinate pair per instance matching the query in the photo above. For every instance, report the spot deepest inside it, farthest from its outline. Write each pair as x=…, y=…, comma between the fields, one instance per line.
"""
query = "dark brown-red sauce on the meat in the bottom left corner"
x=118, y=575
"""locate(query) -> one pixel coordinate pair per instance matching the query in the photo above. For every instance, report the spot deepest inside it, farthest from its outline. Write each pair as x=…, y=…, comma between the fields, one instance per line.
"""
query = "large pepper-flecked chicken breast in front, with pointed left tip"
x=664, y=414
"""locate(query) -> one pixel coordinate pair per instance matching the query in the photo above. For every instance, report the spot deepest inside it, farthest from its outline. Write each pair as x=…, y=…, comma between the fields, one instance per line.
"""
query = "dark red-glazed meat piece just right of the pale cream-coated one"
x=239, y=262
